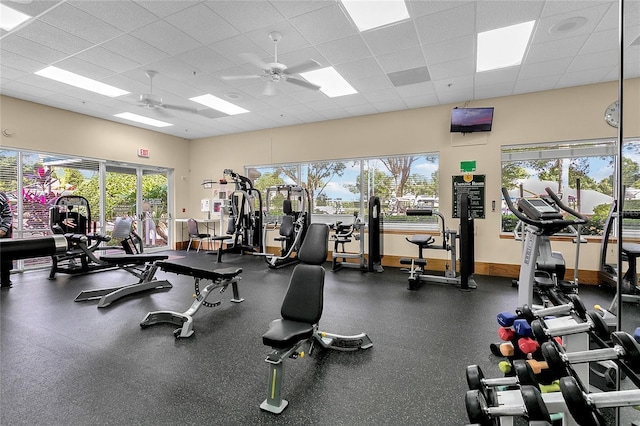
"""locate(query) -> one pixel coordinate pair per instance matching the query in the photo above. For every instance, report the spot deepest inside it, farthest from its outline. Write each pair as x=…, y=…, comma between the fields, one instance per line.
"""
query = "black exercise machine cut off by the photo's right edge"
x=629, y=288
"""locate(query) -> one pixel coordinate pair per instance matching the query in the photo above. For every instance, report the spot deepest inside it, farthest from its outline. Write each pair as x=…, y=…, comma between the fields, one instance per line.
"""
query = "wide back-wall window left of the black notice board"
x=345, y=186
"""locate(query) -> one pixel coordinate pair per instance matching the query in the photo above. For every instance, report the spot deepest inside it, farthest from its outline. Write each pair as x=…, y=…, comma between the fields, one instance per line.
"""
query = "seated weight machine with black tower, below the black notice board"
x=450, y=238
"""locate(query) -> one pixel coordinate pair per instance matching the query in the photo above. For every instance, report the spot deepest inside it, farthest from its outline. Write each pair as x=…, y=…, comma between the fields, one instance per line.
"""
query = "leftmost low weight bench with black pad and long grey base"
x=143, y=266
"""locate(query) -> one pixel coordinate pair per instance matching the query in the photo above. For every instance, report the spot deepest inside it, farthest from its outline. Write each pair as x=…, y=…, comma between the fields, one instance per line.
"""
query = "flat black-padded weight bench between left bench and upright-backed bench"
x=220, y=278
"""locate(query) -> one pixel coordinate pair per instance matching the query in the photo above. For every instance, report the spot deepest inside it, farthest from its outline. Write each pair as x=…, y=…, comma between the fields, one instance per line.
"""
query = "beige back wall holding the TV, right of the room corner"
x=566, y=114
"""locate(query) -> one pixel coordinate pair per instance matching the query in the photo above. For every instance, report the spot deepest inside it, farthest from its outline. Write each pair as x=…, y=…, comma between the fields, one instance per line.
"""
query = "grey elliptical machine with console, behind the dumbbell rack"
x=543, y=270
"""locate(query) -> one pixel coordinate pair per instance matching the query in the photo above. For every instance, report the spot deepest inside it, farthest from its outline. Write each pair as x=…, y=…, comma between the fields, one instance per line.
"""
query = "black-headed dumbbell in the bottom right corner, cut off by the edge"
x=585, y=407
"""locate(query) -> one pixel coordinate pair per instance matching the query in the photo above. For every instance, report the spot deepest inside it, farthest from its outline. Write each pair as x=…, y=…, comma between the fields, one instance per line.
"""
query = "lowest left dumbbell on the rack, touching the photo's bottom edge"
x=481, y=413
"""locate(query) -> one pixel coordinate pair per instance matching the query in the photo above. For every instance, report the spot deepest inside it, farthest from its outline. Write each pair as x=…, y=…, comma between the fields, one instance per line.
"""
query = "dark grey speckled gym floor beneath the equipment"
x=70, y=363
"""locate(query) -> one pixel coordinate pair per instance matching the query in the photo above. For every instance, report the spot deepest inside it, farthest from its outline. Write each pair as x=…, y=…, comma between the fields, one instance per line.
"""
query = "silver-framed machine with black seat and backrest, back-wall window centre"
x=291, y=224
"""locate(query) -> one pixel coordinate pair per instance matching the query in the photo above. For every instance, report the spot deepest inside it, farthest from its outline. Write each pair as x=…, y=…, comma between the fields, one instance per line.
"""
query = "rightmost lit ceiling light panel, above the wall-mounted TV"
x=503, y=47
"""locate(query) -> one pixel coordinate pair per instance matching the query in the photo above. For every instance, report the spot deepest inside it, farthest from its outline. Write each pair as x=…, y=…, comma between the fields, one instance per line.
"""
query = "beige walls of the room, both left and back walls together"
x=565, y=114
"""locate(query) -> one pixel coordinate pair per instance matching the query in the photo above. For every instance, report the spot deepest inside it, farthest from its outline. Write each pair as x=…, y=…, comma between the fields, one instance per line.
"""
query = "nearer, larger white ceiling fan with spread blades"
x=275, y=72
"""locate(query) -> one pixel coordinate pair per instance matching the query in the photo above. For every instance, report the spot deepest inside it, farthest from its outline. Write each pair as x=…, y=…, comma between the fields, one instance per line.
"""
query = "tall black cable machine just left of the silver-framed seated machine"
x=245, y=218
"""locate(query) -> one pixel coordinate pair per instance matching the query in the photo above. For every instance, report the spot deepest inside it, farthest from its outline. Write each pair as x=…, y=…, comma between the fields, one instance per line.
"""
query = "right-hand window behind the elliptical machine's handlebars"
x=528, y=169
